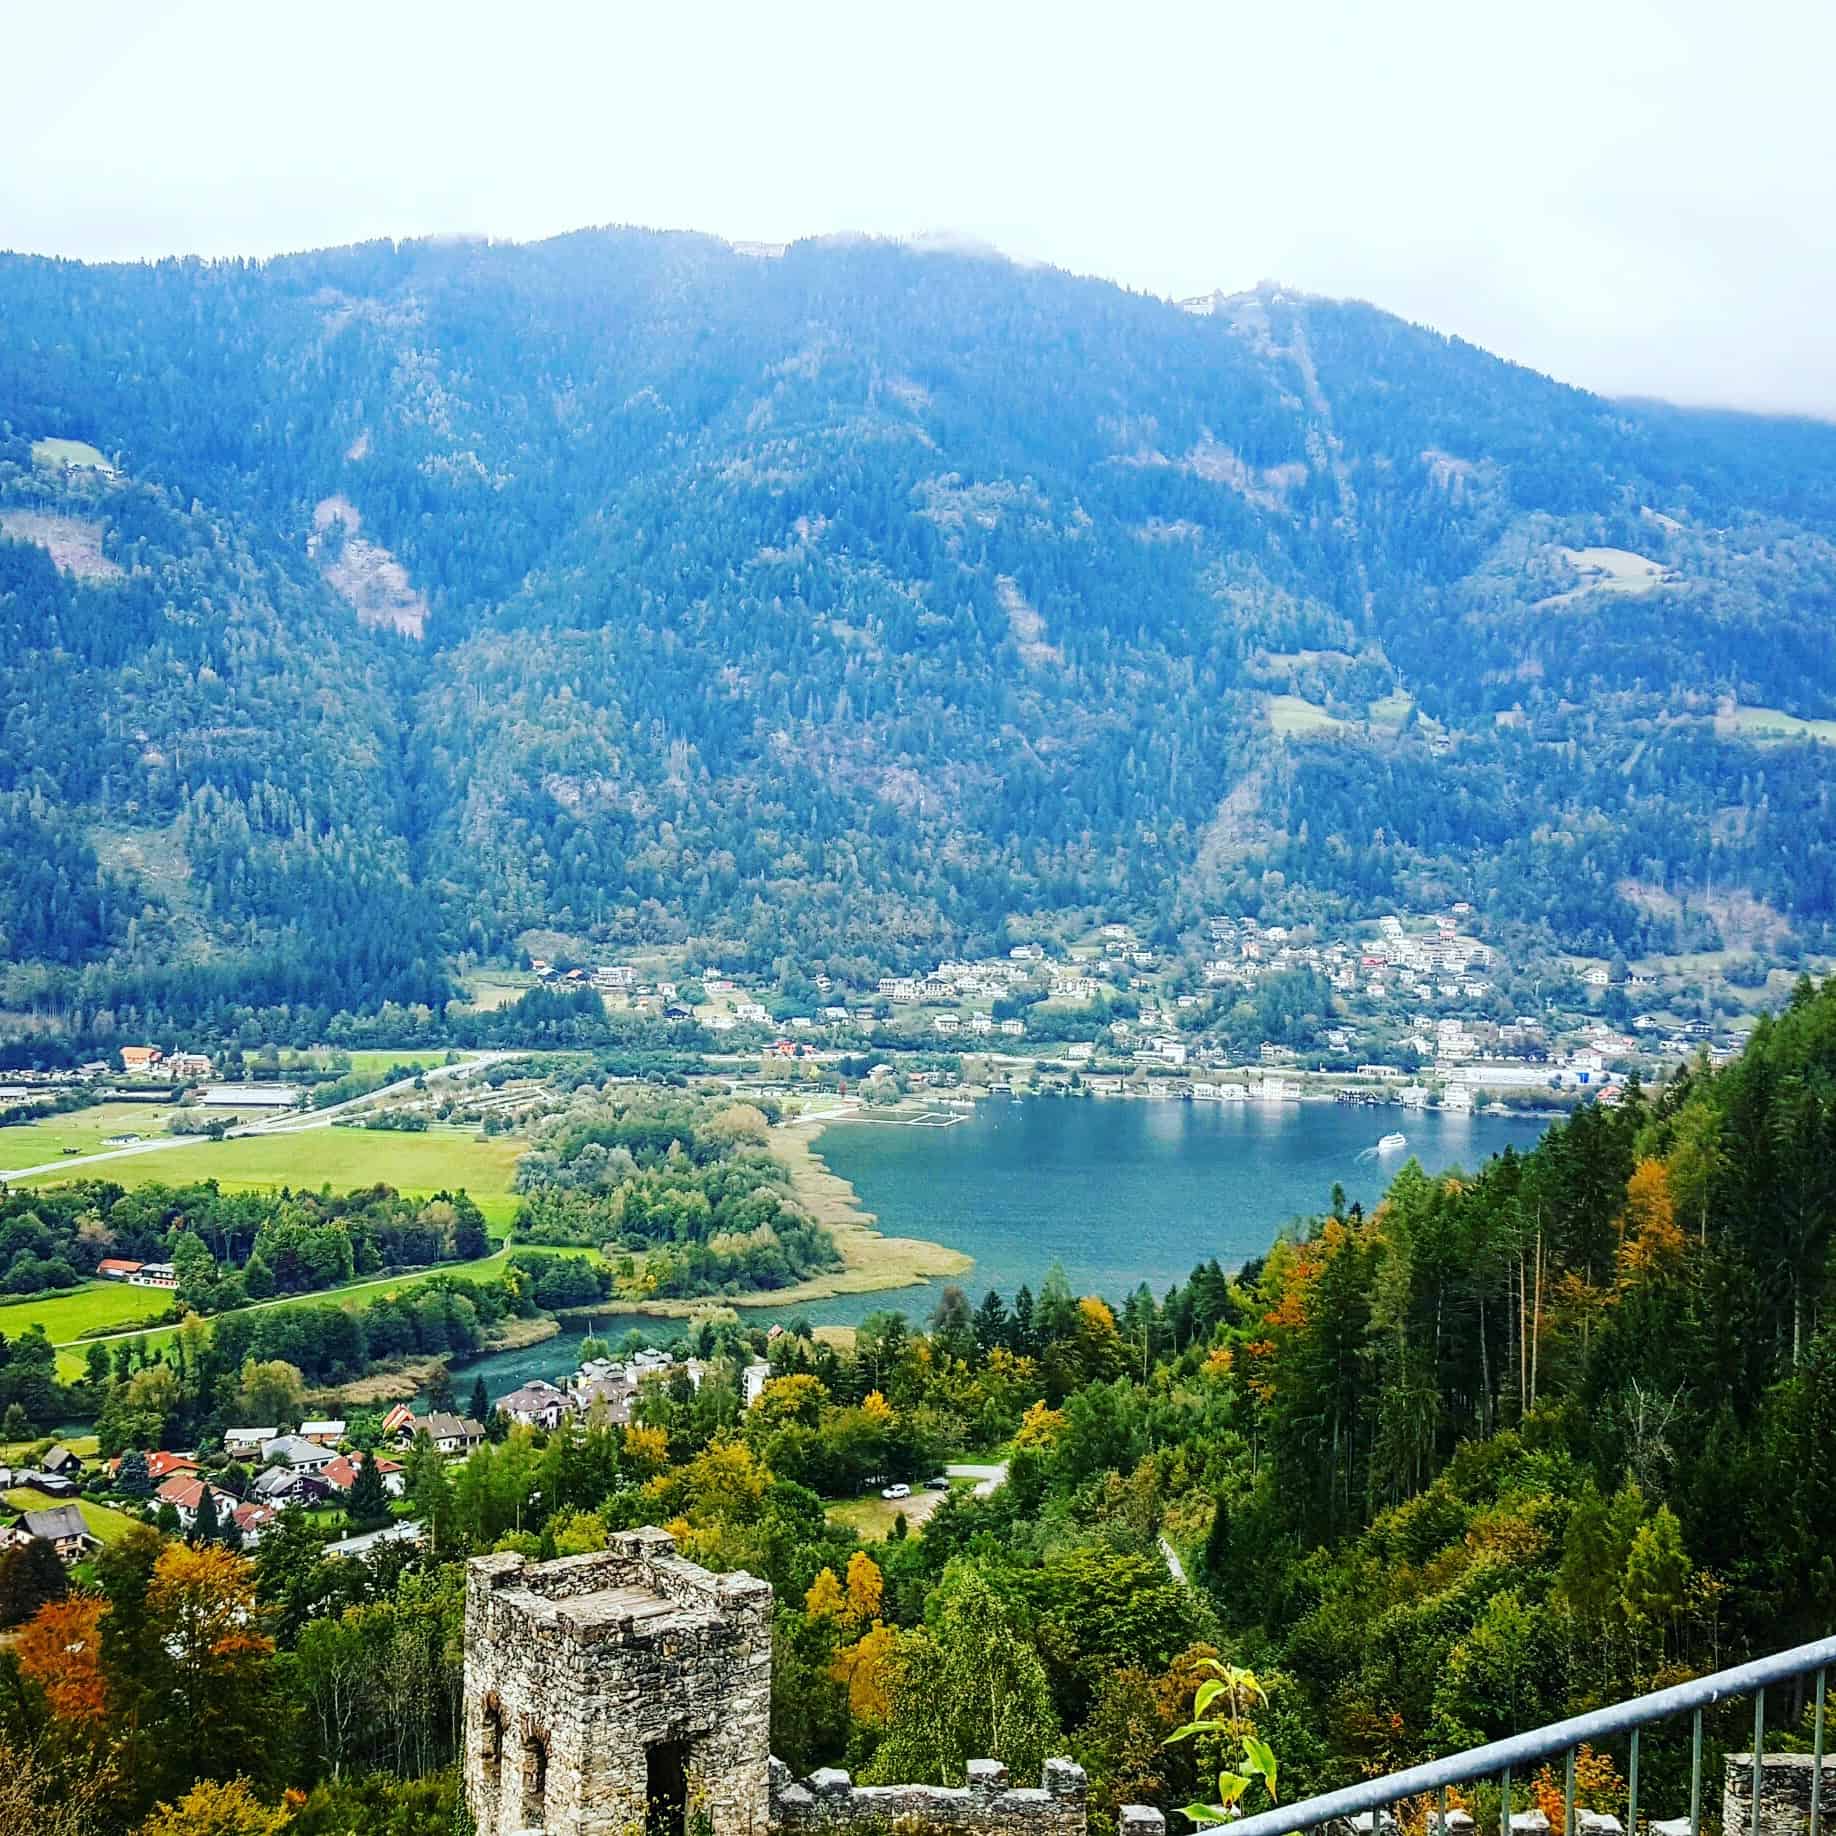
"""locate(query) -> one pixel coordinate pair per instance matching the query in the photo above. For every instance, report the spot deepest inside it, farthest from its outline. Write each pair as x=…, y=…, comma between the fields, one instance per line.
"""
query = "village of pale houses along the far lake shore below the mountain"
x=1418, y=1011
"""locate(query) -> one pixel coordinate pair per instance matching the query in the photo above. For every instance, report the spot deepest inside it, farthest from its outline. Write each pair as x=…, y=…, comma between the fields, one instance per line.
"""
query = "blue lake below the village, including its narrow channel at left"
x=1117, y=1192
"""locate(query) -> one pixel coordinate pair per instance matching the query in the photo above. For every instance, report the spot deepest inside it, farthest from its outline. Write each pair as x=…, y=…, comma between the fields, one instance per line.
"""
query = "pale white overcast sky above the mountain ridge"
x=1631, y=196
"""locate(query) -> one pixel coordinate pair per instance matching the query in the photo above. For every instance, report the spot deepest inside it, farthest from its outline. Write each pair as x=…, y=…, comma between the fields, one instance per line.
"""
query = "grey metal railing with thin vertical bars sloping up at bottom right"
x=1499, y=1760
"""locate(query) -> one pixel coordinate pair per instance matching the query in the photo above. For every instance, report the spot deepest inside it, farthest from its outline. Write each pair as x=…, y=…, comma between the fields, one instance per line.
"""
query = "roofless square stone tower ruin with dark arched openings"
x=618, y=1692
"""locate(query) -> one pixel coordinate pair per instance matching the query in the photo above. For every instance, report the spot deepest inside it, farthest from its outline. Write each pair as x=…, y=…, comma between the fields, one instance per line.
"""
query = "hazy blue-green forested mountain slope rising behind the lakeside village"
x=840, y=607
